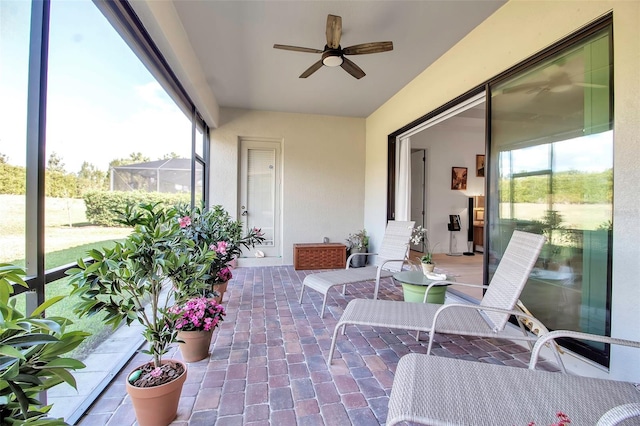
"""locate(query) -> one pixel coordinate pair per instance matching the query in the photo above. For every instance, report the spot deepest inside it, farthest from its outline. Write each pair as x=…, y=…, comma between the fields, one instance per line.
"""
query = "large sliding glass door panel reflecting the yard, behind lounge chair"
x=551, y=173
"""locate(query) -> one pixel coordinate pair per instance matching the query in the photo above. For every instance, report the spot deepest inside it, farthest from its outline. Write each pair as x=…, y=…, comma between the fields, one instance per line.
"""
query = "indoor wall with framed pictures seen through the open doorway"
x=449, y=147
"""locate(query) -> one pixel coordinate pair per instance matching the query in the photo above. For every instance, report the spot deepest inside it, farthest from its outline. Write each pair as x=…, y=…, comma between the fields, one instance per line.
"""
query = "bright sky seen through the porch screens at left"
x=103, y=104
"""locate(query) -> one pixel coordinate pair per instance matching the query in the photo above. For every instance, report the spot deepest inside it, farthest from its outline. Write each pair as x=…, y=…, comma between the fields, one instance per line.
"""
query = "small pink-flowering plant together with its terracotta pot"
x=197, y=318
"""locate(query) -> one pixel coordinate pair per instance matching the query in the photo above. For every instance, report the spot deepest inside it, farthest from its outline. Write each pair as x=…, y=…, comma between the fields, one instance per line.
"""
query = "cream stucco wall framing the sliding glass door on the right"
x=515, y=32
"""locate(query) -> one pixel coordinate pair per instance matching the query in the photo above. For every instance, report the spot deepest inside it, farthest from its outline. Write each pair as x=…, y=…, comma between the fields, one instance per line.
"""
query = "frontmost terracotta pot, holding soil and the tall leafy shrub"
x=158, y=405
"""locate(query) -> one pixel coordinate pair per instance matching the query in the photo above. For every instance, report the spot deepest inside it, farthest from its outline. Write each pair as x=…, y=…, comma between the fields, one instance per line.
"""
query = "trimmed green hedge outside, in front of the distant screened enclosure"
x=103, y=206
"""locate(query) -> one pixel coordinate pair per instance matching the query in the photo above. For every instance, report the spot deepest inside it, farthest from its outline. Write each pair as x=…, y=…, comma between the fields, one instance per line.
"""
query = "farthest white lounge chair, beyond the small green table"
x=389, y=260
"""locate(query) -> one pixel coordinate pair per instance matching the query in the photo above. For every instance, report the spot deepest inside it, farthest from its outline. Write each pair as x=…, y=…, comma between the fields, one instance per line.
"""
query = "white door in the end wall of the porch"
x=260, y=191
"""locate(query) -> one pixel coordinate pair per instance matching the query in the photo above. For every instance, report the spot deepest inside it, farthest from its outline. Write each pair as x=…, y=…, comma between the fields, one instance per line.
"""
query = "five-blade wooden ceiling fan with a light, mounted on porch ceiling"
x=333, y=54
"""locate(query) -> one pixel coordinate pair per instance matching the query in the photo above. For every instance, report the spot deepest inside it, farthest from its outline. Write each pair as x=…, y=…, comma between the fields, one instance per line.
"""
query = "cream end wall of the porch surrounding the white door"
x=322, y=174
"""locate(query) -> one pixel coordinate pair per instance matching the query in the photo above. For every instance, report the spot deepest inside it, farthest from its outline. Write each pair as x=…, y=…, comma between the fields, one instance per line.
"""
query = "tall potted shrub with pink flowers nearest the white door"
x=217, y=230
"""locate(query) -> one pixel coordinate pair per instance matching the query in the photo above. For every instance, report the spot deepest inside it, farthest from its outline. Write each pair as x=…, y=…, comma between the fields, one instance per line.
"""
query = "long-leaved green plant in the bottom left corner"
x=31, y=358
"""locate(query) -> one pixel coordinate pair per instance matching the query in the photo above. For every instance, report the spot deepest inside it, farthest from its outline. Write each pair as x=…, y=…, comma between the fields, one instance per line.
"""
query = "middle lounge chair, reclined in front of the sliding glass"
x=487, y=319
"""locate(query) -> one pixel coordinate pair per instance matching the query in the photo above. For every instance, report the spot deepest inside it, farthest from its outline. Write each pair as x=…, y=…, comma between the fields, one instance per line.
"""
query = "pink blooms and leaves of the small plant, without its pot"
x=198, y=314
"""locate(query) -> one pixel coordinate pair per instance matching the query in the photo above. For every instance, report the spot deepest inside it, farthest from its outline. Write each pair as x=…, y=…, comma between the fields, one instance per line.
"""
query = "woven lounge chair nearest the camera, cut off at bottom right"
x=434, y=390
